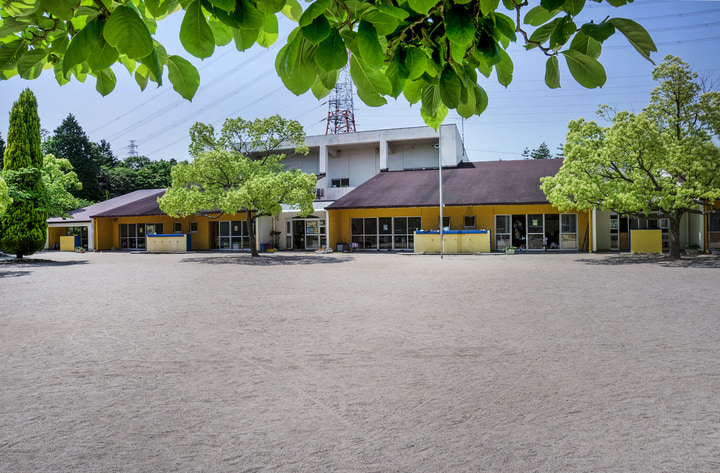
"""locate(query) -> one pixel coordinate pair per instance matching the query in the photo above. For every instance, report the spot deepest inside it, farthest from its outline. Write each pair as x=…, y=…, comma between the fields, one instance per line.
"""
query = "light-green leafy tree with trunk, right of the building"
x=663, y=160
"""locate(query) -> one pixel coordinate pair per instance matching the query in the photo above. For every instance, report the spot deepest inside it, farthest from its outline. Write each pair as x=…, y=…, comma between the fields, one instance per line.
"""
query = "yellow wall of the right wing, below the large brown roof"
x=339, y=220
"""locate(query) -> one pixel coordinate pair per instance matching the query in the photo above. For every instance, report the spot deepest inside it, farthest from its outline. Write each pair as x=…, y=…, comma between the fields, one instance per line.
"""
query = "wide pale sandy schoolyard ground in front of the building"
x=217, y=362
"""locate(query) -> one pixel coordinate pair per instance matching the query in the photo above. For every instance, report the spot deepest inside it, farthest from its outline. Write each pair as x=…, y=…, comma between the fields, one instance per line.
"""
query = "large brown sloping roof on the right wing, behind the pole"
x=482, y=183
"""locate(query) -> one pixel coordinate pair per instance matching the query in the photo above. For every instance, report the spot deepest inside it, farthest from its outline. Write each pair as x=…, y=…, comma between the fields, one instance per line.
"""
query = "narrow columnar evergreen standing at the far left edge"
x=23, y=225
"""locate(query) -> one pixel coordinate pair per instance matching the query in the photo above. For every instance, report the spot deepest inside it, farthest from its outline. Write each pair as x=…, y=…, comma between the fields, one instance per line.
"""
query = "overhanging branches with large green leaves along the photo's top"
x=429, y=51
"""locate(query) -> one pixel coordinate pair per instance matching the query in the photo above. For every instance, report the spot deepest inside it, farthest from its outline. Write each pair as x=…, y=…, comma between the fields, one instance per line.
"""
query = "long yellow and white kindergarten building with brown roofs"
x=374, y=190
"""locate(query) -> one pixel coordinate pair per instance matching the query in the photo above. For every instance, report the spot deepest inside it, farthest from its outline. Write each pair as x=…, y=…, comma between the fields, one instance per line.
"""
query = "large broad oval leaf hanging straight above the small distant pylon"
x=126, y=31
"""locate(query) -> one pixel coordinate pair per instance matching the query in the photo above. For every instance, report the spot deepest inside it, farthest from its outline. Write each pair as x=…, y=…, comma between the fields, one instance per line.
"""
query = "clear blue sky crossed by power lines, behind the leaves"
x=244, y=84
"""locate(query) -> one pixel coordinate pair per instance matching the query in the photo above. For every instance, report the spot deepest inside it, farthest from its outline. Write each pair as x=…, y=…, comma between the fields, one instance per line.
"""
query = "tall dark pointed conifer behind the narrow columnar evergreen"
x=70, y=142
